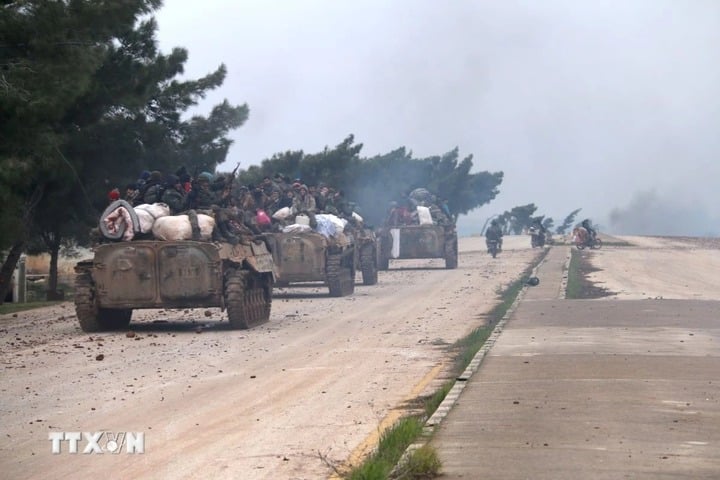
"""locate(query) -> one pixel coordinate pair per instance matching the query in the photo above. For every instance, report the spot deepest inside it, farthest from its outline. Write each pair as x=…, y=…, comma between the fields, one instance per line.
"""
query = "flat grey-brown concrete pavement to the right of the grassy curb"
x=591, y=389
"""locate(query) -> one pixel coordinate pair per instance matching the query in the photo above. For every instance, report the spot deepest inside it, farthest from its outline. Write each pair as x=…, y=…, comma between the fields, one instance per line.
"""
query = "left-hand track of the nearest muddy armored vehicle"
x=91, y=317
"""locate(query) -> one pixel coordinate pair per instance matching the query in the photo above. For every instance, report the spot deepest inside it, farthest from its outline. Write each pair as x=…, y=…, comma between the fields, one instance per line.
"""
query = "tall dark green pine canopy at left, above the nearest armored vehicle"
x=87, y=103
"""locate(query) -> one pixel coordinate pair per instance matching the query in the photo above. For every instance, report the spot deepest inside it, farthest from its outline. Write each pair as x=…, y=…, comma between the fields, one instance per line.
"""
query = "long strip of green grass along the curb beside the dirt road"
x=424, y=463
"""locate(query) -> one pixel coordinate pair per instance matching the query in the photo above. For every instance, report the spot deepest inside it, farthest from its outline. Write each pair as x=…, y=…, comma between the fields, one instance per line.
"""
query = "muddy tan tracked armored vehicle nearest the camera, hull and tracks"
x=131, y=275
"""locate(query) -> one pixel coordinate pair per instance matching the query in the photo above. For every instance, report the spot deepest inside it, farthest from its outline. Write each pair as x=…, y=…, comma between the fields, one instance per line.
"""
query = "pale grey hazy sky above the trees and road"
x=608, y=106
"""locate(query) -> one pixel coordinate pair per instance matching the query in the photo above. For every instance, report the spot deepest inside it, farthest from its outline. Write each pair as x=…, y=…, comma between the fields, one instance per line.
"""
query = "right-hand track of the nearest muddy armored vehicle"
x=248, y=296
